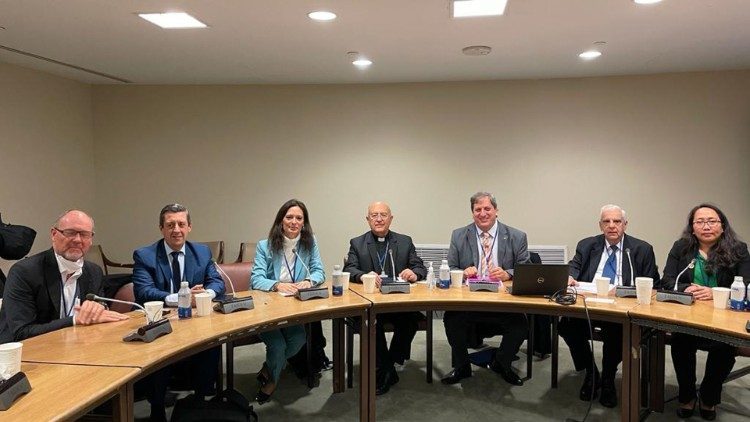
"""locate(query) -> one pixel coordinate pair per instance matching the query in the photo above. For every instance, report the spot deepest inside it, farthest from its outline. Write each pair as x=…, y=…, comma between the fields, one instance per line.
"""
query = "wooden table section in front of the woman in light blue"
x=101, y=346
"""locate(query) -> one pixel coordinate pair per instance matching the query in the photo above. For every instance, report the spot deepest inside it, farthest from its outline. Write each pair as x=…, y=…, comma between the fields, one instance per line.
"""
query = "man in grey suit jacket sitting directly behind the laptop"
x=486, y=248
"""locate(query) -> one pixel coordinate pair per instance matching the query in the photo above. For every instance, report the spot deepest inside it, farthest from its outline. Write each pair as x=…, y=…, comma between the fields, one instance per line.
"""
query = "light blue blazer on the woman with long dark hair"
x=267, y=266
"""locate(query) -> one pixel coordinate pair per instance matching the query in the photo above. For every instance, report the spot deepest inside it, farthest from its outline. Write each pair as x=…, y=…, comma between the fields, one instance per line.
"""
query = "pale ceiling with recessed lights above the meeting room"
x=273, y=41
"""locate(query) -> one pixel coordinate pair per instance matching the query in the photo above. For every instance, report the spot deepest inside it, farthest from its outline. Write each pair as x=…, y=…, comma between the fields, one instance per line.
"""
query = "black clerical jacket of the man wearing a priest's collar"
x=363, y=256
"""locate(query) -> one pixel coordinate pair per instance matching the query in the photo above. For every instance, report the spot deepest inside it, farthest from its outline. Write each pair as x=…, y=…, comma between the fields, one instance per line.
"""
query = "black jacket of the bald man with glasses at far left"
x=31, y=305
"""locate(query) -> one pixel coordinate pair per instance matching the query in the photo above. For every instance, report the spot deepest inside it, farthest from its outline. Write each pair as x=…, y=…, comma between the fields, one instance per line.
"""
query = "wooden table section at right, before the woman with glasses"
x=700, y=319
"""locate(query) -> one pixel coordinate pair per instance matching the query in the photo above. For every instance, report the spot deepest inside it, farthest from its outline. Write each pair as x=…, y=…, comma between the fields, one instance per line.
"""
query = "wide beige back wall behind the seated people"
x=553, y=151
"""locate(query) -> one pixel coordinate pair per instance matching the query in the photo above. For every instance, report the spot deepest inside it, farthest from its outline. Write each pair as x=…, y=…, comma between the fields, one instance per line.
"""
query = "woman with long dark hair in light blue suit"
x=287, y=261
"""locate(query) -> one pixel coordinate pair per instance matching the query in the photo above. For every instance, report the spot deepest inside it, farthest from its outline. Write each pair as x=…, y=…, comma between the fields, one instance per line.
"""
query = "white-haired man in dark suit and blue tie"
x=606, y=255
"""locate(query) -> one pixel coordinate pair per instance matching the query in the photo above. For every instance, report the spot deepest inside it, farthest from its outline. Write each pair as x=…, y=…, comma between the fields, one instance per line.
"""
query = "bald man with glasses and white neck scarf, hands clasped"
x=47, y=291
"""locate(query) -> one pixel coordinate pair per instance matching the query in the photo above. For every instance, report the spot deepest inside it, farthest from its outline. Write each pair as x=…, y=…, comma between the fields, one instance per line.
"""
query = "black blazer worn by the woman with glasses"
x=678, y=259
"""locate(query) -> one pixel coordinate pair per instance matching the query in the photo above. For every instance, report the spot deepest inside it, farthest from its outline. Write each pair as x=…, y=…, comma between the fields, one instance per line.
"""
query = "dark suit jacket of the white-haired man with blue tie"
x=589, y=253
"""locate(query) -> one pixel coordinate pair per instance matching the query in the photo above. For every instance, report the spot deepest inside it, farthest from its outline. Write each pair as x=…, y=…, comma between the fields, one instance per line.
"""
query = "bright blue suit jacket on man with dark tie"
x=152, y=273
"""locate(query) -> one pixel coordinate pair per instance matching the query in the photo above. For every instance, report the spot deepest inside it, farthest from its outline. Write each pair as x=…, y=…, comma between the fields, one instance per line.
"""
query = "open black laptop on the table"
x=539, y=279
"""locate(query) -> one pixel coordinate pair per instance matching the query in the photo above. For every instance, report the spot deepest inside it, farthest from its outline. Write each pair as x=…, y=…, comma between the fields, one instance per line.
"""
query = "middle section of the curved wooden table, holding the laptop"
x=421, y=298
